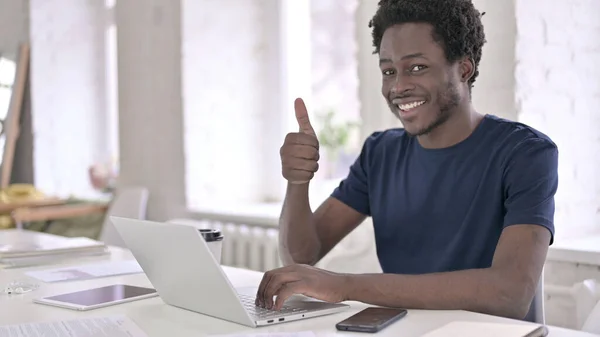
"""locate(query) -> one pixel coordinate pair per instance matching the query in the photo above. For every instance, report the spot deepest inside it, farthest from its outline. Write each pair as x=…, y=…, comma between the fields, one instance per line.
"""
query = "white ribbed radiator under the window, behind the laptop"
x=245, y=246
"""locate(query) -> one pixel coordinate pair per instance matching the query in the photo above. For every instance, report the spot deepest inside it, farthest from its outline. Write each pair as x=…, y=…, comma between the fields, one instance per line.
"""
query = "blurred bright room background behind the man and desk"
x=191, y=100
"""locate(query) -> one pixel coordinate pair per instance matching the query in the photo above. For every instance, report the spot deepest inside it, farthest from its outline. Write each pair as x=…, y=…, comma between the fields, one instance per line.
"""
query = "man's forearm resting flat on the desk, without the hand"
x=479, y=290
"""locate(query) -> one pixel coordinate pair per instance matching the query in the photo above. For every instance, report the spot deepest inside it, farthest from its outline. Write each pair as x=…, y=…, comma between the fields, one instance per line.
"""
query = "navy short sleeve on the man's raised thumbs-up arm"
x=354, y=189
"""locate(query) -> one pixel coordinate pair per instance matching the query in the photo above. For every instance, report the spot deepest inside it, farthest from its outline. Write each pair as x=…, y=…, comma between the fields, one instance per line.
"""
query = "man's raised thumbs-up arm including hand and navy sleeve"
x=305, y=237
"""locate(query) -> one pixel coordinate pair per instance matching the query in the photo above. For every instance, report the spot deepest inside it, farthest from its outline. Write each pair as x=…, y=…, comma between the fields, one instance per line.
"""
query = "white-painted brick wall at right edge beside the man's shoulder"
x=558, y=91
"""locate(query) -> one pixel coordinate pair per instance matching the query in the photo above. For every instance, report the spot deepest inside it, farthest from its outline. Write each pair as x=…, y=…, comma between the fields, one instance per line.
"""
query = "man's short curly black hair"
x=456, y=25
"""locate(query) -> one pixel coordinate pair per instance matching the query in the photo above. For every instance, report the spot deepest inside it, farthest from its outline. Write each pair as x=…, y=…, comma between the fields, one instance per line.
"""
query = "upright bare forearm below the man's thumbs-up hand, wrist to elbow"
x=298, y=239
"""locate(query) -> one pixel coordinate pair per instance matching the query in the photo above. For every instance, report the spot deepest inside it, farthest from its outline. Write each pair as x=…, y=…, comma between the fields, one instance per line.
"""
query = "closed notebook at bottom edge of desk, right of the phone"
x=478, y=329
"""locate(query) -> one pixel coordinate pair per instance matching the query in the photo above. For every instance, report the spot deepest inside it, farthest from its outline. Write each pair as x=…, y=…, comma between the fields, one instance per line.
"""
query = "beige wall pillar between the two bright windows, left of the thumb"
x=150, y=103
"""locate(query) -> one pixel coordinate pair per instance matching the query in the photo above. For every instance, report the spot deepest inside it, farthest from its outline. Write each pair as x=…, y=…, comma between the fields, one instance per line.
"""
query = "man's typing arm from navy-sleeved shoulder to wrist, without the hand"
x=508, y=286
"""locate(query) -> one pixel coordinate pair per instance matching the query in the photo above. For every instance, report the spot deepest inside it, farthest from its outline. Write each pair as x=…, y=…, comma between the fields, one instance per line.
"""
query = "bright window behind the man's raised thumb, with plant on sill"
x=239, y=85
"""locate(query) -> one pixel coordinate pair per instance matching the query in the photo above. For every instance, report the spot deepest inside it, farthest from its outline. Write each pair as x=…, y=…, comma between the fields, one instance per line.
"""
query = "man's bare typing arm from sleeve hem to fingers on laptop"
x=505, y=289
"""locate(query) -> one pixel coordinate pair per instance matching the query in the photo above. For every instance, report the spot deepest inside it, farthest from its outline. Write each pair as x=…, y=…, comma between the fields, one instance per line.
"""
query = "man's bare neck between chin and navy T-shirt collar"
x=457, y=128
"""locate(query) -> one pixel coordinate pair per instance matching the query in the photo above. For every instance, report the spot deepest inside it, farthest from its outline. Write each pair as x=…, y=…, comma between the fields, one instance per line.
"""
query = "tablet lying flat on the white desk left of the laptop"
x=98, y=297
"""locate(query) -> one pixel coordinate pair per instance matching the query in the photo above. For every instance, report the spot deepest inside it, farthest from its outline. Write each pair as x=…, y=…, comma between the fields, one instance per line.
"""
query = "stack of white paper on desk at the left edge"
x=22, y=247
